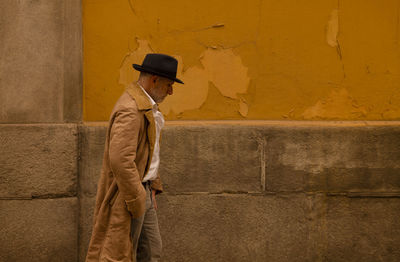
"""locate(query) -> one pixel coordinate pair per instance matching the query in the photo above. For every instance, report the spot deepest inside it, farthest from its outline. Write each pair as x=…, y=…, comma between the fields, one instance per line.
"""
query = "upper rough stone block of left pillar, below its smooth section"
x=38, y=160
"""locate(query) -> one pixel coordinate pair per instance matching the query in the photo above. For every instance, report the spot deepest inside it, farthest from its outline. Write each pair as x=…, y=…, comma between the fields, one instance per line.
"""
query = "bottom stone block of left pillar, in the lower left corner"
x=39, y=230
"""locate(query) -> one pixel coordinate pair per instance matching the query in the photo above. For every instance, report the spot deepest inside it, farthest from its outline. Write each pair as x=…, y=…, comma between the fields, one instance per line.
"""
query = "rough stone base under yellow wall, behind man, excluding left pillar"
x=269, y=191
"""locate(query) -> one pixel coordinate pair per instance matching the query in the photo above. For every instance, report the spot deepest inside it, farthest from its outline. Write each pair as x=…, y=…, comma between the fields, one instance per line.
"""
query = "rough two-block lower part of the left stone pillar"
x=38, y=192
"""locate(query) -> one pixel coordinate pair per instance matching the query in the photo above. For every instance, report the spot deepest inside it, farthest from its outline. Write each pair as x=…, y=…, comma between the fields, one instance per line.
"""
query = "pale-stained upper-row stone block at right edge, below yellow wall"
x=333, y=159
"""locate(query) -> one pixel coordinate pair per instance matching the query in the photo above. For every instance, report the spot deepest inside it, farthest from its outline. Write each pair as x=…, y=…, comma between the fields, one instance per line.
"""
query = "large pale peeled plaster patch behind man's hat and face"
x=219, y=66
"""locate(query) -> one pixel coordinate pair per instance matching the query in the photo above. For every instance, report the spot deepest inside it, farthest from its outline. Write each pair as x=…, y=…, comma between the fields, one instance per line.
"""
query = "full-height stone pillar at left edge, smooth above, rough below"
x=40, y=108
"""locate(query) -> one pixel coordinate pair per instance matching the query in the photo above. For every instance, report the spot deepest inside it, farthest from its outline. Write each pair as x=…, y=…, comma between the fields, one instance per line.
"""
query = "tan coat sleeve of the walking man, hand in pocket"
x=124, y=137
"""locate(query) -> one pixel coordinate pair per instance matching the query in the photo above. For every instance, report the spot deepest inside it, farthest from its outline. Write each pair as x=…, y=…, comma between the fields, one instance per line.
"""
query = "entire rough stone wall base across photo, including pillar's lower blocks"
x=269, y=191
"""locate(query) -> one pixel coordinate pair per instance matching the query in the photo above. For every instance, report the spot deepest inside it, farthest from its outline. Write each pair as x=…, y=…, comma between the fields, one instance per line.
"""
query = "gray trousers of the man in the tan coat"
x=145, y=234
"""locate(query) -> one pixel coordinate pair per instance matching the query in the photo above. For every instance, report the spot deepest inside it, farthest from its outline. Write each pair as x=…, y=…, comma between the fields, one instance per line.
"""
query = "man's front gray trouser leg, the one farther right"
x=150, y=244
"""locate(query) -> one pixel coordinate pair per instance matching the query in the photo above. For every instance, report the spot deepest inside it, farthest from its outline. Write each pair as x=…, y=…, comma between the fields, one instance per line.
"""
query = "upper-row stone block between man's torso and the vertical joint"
x=210, y=159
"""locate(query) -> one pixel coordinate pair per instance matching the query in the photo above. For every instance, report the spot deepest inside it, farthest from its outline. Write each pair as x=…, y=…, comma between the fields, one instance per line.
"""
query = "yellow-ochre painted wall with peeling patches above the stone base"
x=254, y=59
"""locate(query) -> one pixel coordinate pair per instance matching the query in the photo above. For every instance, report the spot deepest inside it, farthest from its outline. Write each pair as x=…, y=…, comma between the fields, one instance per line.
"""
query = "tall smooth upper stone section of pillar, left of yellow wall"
x=40, y=67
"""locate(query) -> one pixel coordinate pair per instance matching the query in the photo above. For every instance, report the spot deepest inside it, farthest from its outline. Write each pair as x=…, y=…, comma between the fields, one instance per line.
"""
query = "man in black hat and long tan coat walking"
x=125, y=226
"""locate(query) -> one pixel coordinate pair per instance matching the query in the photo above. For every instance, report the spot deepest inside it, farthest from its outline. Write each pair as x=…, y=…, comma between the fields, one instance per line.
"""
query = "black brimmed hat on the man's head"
x=159, y=64
